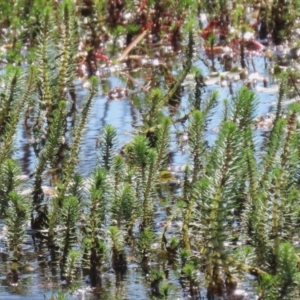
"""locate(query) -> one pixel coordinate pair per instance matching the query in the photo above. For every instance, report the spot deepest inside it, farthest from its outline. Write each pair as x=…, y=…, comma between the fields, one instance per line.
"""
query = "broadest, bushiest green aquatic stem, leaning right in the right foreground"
x=216, y=195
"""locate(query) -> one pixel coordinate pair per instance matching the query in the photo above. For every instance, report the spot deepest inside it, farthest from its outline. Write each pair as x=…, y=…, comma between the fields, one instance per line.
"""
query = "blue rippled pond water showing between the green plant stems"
x=40, y=279
